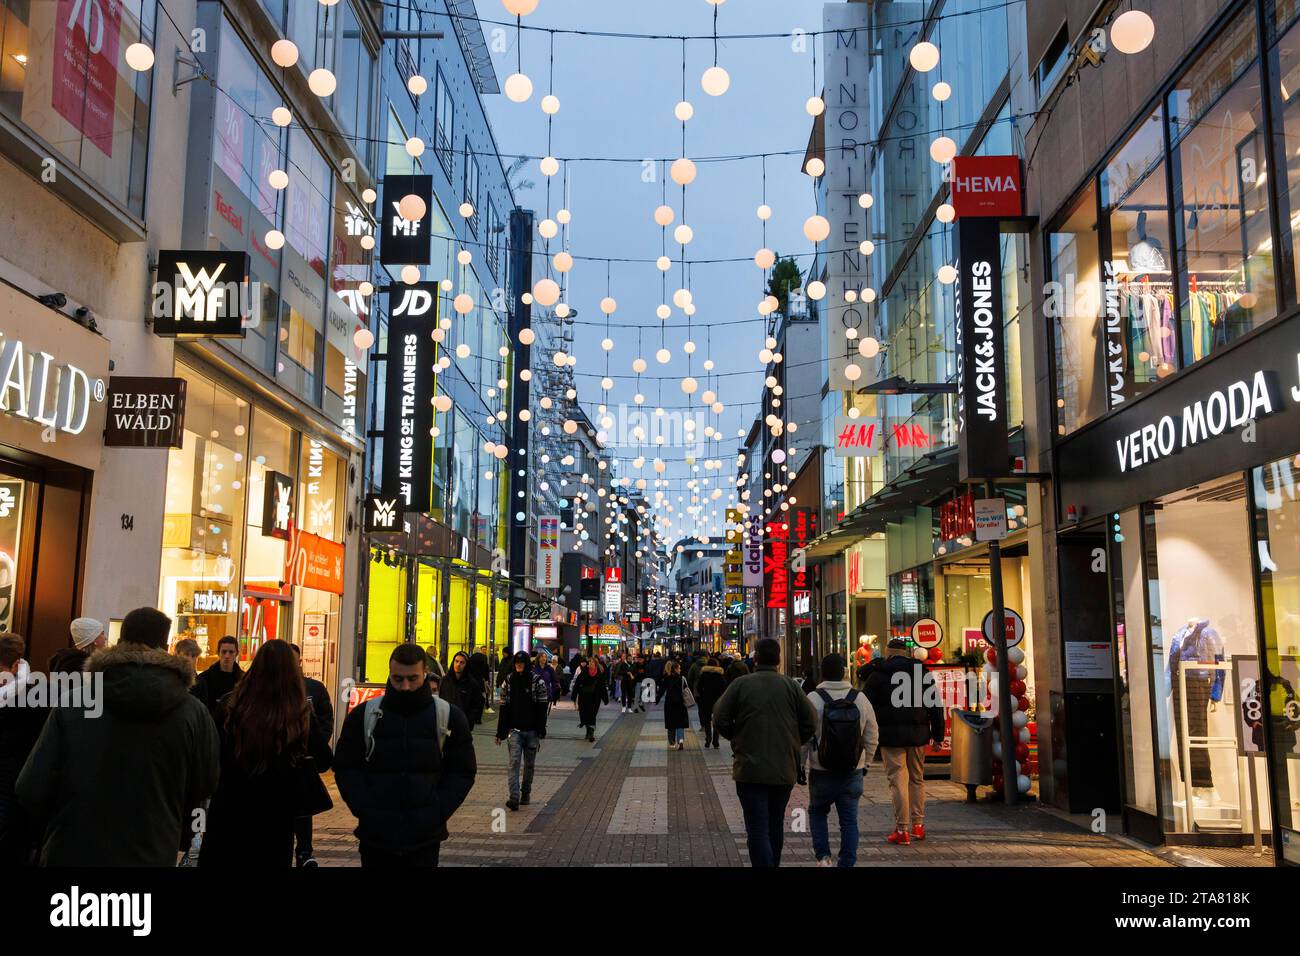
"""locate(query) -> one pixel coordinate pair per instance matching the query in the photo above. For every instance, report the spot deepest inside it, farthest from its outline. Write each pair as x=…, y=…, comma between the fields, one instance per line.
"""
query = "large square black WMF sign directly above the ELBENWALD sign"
x=203, y=295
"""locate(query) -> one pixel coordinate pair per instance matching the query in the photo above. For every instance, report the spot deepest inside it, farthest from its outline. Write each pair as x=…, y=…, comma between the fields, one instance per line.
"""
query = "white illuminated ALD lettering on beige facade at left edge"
x=31, y=380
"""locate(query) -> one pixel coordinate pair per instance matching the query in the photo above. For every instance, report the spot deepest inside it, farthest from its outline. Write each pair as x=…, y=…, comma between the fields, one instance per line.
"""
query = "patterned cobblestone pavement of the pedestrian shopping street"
x=627, y=801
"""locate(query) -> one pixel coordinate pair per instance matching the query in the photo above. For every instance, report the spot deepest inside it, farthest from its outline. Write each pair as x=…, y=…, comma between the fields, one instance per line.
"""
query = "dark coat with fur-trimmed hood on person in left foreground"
x=115, y=790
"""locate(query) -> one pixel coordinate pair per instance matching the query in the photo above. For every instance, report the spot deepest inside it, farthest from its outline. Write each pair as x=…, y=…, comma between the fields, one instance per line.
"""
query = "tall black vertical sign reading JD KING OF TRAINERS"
x=409, y=397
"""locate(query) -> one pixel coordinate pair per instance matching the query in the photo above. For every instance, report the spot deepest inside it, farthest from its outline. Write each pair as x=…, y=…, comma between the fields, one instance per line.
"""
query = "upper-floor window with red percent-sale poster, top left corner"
x=64, y=76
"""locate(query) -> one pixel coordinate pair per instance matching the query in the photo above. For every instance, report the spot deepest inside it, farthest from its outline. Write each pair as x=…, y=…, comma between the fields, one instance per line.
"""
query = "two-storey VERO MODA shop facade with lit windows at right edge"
x=1172, y=427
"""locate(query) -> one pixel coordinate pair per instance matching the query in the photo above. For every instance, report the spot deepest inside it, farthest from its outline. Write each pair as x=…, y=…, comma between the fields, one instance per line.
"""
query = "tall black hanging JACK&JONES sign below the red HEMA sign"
x=983, y=451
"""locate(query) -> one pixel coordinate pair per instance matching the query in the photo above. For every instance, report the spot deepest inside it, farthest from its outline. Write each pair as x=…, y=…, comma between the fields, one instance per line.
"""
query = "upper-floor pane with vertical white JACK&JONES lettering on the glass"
x=1141, y=344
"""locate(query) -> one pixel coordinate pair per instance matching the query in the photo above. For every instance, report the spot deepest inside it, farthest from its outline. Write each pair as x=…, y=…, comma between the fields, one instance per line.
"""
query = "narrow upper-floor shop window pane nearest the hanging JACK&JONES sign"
x=1073, y=309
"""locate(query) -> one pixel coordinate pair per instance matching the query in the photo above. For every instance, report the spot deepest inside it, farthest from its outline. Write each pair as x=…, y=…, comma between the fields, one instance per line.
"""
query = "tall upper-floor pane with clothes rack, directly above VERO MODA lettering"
x=1225, y=240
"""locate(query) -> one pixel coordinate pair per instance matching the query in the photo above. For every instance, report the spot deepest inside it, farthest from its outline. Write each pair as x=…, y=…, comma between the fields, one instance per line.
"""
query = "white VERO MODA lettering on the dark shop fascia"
x=1221, y=412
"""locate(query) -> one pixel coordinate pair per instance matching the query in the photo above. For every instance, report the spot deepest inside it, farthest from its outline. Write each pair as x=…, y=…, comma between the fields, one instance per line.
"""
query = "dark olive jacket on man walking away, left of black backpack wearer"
x=768, y=719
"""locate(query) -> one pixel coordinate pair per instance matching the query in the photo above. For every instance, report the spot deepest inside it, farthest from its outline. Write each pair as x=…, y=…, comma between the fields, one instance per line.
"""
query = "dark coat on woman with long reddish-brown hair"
x=250, y=823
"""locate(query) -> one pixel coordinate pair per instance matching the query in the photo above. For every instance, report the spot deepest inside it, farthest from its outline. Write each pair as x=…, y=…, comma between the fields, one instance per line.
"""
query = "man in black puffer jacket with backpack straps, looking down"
x=404, y=765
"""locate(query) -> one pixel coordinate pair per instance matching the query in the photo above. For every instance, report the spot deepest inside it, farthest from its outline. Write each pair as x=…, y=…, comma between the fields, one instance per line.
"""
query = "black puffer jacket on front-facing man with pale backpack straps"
x=405, y=795
